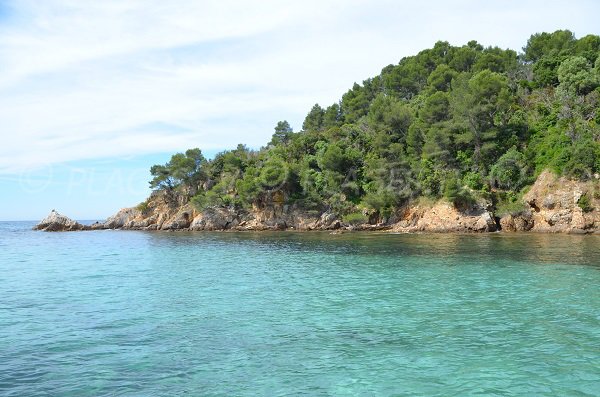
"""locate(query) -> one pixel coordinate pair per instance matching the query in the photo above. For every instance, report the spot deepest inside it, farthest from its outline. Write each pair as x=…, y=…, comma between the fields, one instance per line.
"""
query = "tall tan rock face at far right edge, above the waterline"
x=557, y=205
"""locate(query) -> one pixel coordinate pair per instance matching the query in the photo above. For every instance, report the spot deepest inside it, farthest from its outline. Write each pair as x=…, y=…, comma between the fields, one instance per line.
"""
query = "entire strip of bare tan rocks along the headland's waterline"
x=552, y=205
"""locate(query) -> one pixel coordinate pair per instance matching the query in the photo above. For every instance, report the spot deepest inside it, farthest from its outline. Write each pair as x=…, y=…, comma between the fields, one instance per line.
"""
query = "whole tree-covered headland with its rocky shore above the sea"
x=452, y=139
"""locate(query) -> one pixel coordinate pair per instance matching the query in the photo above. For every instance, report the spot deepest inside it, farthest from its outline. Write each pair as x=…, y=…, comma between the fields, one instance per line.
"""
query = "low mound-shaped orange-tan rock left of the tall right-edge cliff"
x=445, y=217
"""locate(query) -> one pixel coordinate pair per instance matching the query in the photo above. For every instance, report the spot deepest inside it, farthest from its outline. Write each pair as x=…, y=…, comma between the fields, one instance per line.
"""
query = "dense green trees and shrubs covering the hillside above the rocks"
x=454, y=122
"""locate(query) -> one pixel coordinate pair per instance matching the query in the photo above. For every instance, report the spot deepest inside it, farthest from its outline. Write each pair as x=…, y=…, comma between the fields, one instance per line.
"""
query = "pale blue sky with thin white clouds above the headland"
x=92, y=93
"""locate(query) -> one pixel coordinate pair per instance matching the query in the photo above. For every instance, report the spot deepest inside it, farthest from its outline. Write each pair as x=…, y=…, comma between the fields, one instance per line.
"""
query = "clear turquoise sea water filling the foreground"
x=114, y=313
